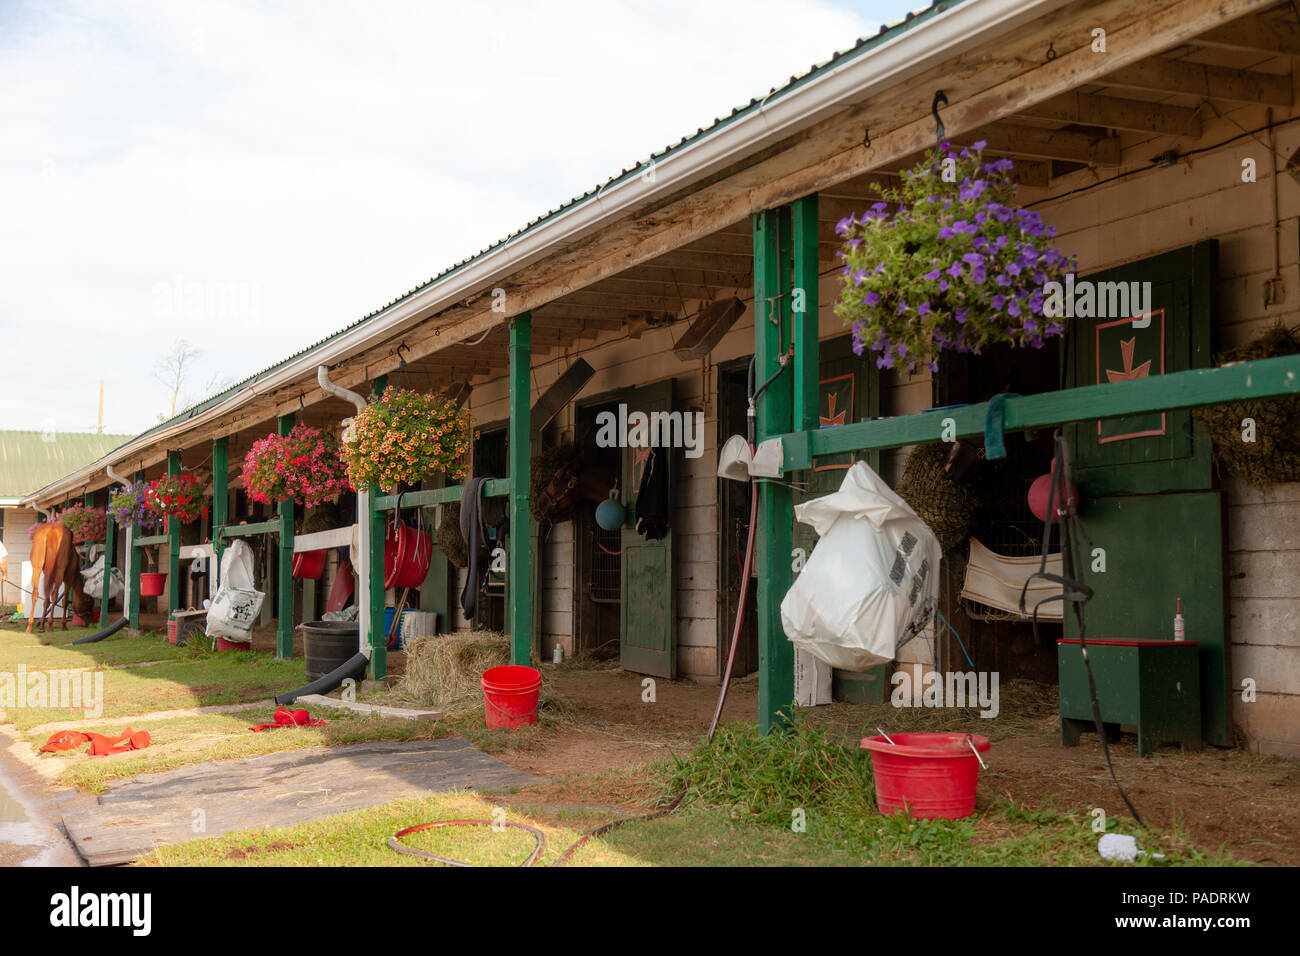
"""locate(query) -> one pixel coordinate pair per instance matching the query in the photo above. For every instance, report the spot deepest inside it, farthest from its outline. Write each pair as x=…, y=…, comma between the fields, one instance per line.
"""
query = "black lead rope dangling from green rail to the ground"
x=1073, y=590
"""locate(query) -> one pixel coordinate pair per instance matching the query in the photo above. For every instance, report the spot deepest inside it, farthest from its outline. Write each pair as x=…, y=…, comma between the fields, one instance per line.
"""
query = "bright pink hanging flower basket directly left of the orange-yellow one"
x=304, y=465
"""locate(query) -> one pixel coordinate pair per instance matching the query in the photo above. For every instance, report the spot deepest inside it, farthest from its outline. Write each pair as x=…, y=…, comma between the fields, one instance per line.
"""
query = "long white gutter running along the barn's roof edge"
x=876, y=68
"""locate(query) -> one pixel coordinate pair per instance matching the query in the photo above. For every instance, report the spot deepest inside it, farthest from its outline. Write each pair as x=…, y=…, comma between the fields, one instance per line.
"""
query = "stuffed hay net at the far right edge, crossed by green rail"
x=1275, y=456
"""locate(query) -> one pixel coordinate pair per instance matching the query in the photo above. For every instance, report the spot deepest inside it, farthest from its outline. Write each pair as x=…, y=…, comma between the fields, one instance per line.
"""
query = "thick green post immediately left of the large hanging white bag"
x=773, y=331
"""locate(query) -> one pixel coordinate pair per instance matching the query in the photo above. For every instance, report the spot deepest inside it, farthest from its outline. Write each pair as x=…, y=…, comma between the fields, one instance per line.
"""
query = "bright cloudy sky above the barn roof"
x=253, y=178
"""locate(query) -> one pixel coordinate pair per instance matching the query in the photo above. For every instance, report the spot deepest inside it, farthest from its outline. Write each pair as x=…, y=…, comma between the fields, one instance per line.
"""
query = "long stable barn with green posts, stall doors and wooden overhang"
x=1160, y=140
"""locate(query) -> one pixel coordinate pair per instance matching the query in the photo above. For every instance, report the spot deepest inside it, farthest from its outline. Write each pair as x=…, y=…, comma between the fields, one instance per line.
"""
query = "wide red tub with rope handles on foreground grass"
x=933, y=775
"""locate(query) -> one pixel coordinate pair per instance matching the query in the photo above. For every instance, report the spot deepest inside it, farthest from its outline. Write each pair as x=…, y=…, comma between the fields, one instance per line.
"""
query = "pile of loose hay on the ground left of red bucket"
x=443, y=672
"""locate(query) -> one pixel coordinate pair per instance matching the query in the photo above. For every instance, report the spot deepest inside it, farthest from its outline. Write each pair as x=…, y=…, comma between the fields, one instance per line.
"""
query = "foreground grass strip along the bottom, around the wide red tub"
x=744, y=791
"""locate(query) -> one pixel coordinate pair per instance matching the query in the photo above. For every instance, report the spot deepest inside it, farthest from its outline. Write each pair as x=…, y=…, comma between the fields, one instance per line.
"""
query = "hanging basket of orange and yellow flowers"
x=406, y=438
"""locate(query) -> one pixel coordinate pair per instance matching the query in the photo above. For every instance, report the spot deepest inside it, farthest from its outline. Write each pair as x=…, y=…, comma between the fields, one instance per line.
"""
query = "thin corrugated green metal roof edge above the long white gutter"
x=887, y=33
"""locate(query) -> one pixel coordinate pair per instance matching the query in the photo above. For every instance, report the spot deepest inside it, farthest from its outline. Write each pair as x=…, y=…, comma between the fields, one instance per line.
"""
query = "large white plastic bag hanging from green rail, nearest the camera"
x=873, y=579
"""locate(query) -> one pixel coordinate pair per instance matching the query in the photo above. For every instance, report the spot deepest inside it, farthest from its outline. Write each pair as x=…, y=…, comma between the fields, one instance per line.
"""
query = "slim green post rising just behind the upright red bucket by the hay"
x=519, y=576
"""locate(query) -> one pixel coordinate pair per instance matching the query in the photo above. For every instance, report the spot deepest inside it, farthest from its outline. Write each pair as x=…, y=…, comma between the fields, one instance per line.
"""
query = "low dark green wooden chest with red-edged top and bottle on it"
x=1151, y=685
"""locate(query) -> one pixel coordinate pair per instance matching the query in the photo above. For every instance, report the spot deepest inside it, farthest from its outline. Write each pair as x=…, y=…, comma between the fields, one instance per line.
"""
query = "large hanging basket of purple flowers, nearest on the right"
x=947, y=261
